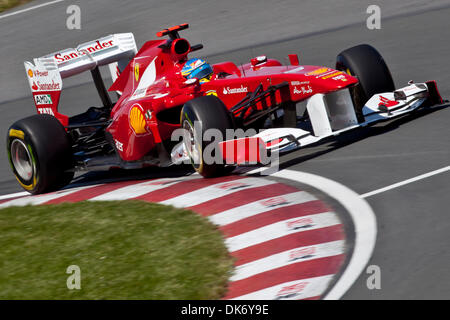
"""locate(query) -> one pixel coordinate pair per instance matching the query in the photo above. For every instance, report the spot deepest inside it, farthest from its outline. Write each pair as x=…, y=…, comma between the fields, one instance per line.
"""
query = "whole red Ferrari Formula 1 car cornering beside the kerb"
x=291, y=106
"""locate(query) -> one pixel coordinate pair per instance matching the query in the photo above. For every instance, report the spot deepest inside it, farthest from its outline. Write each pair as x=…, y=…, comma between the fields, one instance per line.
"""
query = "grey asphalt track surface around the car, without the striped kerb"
x=413, y=222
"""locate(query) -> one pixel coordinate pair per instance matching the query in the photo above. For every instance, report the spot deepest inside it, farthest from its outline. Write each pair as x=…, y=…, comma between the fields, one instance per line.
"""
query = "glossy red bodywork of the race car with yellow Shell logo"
x=153, y=90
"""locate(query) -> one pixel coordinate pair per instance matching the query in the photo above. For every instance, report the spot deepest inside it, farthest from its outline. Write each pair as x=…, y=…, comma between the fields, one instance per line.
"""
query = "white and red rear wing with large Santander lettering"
x=46, y=74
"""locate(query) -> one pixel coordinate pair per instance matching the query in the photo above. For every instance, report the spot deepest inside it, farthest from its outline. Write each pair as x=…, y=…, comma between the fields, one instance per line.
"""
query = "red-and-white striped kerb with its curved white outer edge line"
x=287, y=242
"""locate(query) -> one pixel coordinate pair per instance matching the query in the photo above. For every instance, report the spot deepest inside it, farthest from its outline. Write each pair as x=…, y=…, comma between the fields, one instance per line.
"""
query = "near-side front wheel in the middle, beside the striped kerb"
x=197, y=117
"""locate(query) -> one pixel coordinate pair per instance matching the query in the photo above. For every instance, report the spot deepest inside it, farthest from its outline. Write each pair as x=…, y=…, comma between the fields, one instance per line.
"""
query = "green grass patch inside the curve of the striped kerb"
x=125, y=250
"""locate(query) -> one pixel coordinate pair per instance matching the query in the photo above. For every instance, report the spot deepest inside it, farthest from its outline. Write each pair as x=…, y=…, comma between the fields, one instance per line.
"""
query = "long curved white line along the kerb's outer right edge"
x=364, y=221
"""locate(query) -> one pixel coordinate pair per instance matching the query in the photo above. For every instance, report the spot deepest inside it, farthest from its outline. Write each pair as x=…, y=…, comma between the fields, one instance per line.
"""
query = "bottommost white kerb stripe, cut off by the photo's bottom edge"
x=293, y=290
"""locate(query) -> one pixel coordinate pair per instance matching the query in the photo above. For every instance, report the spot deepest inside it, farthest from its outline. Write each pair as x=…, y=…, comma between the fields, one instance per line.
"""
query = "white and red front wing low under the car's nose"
x=329, y=115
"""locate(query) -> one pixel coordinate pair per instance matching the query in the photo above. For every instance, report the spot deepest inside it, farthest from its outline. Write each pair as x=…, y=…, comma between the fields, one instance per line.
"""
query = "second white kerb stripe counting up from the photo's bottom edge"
x=278, y=260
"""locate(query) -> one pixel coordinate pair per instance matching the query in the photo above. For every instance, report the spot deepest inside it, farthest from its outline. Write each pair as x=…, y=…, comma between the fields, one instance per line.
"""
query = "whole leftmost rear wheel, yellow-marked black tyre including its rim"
x=39, y=152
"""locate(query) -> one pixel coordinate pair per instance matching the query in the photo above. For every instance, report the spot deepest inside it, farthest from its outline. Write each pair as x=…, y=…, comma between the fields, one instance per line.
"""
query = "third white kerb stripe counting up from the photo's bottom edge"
x=281, y=229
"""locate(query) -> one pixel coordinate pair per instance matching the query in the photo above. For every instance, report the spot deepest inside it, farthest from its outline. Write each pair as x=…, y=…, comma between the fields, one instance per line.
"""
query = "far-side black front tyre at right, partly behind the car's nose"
x=365, y=63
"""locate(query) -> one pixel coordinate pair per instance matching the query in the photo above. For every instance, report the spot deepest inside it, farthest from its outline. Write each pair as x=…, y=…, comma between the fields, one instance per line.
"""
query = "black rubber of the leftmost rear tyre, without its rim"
x=51, y=150
